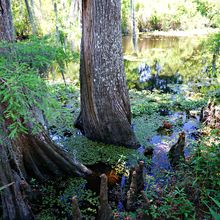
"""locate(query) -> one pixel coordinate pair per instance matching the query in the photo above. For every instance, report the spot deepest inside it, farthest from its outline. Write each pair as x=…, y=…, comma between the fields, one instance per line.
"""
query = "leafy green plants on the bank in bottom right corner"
x=199, y=179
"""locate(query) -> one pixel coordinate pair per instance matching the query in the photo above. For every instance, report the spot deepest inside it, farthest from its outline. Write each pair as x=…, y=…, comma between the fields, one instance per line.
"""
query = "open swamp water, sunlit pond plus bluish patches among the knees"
x=162, y=64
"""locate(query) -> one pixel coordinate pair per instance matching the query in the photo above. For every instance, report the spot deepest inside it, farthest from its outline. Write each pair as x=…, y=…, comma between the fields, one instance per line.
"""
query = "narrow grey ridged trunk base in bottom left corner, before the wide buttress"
x=14, y=203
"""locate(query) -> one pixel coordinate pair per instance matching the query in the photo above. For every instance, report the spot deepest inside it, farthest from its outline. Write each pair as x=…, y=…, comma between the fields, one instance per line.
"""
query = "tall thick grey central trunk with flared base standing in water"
x=105, y=109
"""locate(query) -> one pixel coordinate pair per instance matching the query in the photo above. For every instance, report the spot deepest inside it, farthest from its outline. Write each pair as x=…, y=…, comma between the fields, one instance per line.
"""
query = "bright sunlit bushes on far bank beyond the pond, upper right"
x=174, y=15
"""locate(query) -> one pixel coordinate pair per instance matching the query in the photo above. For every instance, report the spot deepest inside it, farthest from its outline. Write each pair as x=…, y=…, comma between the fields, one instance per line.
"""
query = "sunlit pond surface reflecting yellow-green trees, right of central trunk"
x=161, y=60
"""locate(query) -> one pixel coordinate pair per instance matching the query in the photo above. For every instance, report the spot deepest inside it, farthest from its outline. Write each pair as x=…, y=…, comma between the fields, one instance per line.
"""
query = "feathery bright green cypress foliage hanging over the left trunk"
x=23, y=91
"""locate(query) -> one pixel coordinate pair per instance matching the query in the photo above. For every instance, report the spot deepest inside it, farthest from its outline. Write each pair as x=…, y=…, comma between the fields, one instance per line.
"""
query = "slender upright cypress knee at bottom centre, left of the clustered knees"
x=105, y=211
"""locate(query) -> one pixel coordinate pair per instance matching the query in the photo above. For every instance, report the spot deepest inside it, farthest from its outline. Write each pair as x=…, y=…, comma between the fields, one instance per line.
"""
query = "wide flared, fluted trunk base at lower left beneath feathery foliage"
x=29, y=156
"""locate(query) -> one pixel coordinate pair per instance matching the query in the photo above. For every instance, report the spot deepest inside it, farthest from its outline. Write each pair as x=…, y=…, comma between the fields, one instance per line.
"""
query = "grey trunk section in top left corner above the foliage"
x=6, y=25
